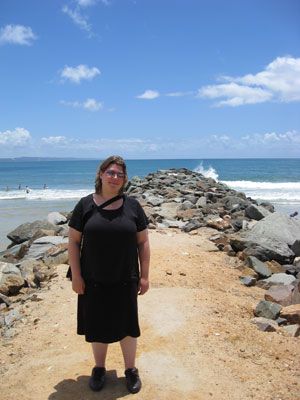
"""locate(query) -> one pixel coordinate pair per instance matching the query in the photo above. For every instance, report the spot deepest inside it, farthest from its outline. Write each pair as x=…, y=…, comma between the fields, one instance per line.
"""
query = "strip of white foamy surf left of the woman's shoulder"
x=45, y=194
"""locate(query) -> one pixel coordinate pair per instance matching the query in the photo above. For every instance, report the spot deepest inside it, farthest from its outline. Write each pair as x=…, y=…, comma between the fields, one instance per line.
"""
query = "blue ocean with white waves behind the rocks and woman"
x=29, y=190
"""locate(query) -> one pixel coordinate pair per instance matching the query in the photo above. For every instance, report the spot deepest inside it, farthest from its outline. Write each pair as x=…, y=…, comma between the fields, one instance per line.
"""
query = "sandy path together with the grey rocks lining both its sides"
x=199, y=338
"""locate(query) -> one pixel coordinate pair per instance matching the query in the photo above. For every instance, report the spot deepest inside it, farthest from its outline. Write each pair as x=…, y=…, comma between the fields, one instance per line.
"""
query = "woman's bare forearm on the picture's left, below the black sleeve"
x=74, y=260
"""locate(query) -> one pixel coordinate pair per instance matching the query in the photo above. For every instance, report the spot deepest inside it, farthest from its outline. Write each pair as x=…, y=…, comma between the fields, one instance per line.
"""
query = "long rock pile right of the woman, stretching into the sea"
x=267, y=242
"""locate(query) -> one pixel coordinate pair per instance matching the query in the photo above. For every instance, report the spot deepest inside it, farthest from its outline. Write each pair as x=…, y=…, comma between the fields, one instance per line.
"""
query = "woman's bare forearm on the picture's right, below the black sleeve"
x=144, y=258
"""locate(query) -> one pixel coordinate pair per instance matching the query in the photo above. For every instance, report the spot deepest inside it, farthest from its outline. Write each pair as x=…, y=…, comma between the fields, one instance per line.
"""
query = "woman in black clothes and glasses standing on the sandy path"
x=109, y=259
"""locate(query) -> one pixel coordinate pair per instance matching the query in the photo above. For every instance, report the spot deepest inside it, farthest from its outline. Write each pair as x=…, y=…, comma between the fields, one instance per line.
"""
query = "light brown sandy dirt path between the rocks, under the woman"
x=197, y=339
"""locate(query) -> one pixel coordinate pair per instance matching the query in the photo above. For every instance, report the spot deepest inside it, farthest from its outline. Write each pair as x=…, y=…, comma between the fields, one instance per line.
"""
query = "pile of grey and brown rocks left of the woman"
x=28, y=265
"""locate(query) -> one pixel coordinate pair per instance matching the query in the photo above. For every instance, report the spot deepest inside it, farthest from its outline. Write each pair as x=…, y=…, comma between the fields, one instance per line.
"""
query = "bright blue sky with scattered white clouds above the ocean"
x=150, y=78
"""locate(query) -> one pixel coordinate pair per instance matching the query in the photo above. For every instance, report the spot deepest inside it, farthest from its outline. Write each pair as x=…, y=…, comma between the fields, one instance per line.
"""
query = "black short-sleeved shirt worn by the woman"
x=109, y=244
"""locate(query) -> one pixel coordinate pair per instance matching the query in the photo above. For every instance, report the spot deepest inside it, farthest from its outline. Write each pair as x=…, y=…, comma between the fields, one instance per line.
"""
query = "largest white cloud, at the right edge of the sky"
x=279, y=81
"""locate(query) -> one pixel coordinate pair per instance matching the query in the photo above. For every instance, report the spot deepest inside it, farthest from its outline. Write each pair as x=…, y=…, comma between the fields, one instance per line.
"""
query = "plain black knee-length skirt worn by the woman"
x=108, y=313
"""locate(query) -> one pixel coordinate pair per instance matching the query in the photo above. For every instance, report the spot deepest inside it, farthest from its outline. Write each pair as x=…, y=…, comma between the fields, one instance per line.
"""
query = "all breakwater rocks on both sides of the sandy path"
x=266, y=243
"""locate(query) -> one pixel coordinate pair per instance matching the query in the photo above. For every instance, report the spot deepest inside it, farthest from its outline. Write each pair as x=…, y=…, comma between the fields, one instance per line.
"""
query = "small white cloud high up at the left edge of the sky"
x=17, y=34
